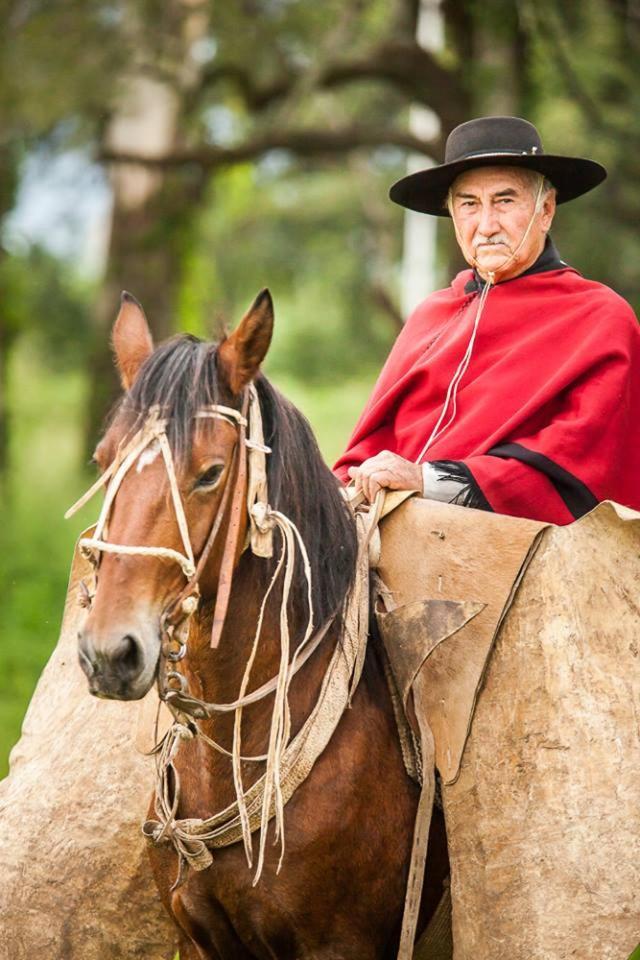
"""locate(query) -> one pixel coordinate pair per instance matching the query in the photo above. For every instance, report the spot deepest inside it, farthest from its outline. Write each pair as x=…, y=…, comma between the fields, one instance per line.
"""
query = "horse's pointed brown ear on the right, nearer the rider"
x=240, y=355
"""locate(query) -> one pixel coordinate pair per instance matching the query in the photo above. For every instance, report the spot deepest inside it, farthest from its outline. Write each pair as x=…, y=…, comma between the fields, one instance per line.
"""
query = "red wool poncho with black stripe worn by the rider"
x=548, y=417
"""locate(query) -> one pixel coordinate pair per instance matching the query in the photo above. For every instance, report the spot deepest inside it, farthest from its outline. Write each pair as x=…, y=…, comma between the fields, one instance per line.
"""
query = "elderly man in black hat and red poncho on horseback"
x=517, y=388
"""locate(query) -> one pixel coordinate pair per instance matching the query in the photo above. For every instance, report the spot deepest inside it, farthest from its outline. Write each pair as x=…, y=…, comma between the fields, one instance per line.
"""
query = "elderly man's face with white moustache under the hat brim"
x=492, y=207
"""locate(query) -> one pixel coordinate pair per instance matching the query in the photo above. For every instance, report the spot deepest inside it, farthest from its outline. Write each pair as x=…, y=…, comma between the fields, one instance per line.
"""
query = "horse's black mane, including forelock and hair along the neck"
x=180, y=377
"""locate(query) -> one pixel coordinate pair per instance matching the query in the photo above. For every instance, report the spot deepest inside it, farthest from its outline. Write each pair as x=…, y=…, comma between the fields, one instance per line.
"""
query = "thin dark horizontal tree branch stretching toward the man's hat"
x=303, y=143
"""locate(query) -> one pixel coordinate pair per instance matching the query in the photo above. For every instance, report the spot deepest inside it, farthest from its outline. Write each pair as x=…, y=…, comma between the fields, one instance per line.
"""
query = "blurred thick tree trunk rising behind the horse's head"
x=152, y=209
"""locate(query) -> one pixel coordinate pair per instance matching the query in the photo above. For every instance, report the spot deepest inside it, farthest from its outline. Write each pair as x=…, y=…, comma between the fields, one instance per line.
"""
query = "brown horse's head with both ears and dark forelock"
x=161, y=427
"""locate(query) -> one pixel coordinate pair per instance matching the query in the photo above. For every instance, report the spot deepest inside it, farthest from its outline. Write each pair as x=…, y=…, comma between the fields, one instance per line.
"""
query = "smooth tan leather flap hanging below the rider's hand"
x=451, y=574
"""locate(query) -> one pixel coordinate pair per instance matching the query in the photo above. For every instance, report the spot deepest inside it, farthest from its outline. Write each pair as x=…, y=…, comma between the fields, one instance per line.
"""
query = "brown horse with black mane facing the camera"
x=341, y=889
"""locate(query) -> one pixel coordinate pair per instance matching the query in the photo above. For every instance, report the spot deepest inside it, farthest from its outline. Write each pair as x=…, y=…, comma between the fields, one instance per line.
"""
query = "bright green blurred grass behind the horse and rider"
x=45, y=477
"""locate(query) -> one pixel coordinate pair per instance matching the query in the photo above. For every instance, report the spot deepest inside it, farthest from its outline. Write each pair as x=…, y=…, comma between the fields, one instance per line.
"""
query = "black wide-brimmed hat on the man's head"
x=494, y=142
